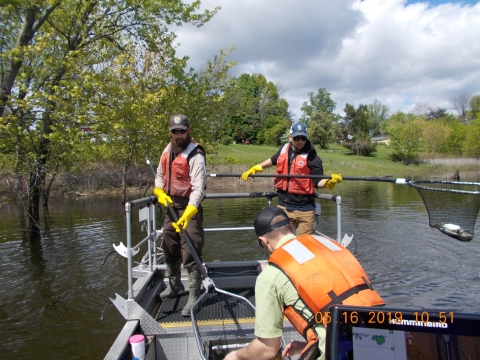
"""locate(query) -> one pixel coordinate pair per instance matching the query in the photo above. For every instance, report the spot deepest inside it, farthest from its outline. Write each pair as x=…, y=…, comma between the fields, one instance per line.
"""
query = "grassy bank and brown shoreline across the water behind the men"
x=105, y=179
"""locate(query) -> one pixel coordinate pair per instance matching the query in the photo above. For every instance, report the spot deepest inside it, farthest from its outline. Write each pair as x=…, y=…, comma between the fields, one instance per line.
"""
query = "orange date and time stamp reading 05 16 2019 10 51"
x=380, y=317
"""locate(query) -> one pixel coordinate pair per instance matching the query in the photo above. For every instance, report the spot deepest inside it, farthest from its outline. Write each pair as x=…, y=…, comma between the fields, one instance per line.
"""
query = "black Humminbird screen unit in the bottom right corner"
x=366, y=333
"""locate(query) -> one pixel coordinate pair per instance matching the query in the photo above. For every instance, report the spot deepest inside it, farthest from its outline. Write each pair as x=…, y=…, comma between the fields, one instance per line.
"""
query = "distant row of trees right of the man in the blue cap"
x=429, y=130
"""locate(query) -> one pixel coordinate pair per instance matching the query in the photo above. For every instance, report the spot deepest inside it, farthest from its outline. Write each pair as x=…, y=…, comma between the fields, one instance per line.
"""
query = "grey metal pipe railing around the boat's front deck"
x=147, y=215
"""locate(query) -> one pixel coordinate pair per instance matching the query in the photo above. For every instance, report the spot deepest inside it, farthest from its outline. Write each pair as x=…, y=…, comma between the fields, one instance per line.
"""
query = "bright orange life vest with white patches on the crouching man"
x=324, y=273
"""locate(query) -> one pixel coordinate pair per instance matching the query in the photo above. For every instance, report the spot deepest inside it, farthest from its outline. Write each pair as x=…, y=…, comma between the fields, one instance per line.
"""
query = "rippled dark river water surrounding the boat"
x=53, y=291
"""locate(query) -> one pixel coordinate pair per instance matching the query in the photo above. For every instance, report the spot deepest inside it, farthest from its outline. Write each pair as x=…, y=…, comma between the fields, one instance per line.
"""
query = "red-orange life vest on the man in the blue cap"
x=299, y=166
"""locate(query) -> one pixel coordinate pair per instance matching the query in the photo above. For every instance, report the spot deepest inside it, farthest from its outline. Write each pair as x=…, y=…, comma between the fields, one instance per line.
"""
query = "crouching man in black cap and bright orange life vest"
x=303, y=277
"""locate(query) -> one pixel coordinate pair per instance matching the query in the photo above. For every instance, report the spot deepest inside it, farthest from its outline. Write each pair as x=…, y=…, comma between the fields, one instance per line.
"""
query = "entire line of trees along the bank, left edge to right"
x=94, y=82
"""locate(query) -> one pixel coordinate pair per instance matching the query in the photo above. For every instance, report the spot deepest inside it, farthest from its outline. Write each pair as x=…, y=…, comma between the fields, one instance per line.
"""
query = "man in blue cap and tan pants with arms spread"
x=296, y=195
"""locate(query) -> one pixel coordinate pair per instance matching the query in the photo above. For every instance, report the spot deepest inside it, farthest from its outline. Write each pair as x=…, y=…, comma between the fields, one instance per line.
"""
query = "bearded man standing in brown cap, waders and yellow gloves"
x=180, y=181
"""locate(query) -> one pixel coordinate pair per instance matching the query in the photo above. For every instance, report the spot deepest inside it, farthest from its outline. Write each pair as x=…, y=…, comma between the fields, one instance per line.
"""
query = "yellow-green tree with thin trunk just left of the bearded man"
x=131, y=103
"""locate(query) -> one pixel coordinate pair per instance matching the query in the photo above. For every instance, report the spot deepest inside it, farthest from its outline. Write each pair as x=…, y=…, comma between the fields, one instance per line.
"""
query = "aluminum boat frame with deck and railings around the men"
x=168, y=335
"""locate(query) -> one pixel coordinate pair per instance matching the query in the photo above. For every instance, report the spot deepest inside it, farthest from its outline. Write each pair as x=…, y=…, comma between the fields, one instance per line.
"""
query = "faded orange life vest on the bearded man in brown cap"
x=177, y=174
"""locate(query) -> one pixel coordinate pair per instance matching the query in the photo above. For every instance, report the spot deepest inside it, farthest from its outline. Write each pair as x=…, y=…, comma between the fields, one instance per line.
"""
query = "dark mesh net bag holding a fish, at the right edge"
x=452, y=206
